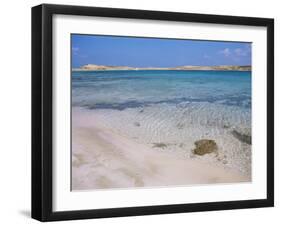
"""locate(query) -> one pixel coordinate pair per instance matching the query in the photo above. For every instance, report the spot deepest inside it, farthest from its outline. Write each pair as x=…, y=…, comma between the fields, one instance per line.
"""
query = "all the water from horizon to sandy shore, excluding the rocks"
x=173, y=107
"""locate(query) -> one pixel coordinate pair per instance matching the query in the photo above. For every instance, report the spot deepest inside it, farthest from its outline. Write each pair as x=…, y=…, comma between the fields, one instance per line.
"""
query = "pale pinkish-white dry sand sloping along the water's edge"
x=102, y=158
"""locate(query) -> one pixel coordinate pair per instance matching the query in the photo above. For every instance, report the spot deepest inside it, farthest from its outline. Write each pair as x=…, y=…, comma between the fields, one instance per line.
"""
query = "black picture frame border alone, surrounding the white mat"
x=42, y=111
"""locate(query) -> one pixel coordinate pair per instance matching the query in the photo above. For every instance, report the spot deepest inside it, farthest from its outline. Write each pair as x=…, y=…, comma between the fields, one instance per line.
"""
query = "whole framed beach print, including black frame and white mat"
x=145, y=112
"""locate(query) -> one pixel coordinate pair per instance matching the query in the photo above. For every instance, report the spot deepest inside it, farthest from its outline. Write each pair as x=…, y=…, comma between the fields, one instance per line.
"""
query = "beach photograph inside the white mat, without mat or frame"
x=152, y=112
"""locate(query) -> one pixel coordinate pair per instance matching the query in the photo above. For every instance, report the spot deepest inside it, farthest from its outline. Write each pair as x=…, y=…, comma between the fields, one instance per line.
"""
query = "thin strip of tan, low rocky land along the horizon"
x=93, y=67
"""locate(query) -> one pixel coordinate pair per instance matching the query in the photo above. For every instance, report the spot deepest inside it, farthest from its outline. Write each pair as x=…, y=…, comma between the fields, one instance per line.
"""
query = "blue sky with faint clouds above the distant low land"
x=154, y=52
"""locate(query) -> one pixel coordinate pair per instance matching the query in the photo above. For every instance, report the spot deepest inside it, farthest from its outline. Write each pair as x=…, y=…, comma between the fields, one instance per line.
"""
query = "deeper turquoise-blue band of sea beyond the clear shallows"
x=129, y=89
